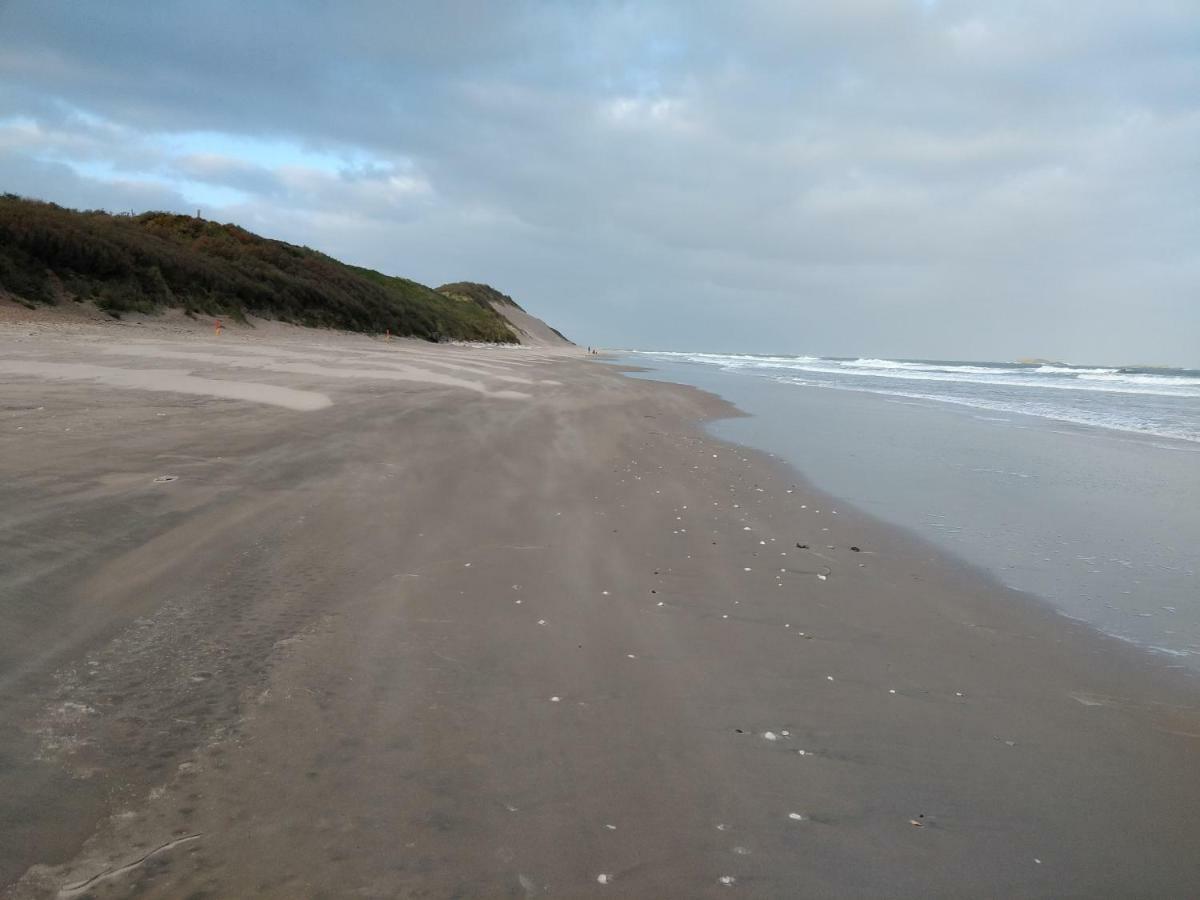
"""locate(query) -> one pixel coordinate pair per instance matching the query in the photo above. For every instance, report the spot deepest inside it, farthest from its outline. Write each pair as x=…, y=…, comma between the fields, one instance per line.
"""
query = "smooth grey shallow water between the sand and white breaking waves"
x=1103, y=539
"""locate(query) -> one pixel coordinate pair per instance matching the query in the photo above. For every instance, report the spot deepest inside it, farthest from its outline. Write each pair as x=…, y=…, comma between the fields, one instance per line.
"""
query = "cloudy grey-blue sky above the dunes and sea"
x=859, y=178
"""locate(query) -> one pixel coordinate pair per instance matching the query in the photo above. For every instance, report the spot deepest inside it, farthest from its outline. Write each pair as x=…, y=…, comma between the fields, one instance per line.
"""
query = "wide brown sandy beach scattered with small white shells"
x=508, y=623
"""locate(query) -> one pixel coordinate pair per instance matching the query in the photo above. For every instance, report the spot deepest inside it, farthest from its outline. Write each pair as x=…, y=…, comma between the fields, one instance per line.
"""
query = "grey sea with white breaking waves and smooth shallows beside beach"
x=1076, y=484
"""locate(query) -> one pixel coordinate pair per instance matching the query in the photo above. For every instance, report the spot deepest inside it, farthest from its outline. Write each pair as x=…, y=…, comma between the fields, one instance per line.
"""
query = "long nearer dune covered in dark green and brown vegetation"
x=146, y=263
